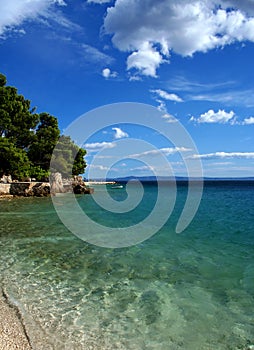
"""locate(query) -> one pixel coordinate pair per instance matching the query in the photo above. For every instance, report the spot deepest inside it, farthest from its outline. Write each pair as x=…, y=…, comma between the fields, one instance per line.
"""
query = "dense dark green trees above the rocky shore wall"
x=27, y=140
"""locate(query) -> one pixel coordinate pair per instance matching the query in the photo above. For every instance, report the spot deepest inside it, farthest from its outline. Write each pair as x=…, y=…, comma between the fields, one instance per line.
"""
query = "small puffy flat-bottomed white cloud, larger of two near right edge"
x=221, y=117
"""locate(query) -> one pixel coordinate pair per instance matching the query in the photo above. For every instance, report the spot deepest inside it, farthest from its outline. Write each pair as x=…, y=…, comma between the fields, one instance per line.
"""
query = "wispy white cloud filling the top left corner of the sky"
x=15, y=12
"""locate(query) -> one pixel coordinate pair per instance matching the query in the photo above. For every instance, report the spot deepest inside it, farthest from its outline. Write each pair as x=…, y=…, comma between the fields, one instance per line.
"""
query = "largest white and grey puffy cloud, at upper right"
x=154, y=28
